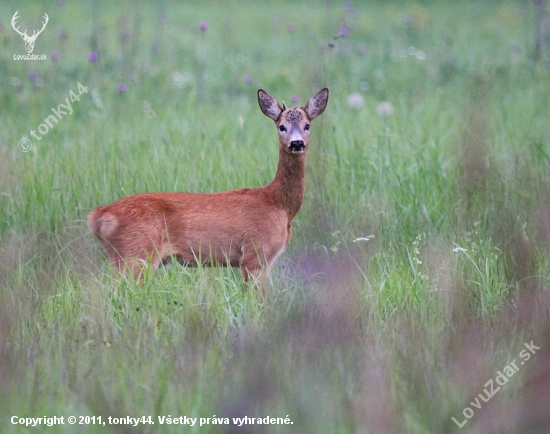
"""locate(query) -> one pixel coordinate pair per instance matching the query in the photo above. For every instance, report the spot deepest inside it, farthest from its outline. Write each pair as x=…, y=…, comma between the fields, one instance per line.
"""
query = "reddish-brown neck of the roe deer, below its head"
x=288, y=186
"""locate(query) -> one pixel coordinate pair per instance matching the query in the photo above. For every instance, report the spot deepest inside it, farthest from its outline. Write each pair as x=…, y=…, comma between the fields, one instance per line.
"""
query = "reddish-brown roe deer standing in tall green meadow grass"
x=247, y=228
